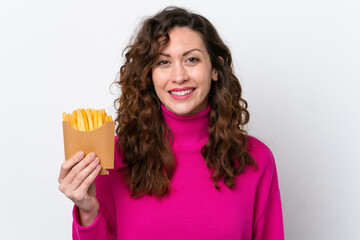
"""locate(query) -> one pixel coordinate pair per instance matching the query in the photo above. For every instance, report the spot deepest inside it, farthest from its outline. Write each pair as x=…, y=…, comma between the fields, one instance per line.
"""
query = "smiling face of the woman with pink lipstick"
x=183, y=73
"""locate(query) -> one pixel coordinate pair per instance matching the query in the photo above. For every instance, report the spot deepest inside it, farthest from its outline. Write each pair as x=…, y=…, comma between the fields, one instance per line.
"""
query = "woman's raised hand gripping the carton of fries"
x=76, y=181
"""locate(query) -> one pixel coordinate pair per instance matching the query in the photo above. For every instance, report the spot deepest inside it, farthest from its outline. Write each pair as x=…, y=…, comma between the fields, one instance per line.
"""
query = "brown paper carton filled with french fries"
x=90, y=131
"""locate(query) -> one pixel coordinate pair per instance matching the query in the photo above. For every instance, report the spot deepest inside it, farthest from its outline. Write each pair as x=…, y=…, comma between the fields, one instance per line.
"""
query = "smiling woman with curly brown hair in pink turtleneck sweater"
x=184, y=166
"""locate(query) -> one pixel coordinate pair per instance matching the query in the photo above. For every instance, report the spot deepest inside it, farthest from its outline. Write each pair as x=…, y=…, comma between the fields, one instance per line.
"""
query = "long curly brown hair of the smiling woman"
x=143, y=135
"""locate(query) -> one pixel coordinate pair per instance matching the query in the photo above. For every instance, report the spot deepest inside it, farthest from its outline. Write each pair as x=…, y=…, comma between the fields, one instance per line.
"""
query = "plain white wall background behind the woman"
x=298, y=62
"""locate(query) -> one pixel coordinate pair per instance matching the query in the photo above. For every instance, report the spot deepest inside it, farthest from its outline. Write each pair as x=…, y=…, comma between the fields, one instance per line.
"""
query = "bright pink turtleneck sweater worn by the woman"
x=194, y=209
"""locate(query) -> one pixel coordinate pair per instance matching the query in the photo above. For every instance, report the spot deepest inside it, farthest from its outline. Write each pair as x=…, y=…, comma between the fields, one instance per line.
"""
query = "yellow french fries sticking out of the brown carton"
x=87, y=120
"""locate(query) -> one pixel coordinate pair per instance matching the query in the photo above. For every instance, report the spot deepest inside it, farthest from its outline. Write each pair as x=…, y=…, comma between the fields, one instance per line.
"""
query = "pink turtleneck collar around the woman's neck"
x=188, y=131
